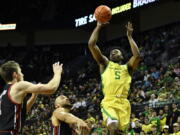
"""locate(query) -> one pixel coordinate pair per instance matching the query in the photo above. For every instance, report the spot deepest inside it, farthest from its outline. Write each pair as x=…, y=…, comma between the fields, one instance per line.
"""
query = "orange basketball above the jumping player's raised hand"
x=103, y=14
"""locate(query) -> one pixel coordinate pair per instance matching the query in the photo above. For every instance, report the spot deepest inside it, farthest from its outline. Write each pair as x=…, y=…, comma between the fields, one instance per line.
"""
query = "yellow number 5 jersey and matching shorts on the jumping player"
x=116, y=82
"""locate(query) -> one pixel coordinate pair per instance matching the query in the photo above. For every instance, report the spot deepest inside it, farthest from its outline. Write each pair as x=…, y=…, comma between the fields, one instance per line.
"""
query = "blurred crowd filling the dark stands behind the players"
x=154, y=94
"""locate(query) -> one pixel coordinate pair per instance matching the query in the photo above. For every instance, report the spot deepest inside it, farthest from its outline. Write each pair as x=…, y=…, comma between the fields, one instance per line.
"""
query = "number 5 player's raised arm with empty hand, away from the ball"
x=135, y=59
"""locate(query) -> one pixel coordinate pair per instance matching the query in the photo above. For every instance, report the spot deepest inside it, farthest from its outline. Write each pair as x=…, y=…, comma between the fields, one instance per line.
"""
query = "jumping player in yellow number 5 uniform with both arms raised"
x=116, y=79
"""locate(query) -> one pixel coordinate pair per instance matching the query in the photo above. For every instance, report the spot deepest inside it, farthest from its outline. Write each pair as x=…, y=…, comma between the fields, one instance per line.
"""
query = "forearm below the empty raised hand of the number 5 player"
x=134, y=47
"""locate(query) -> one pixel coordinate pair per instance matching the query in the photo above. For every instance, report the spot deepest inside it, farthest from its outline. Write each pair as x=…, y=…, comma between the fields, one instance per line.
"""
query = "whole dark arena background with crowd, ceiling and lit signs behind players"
x=37, y=33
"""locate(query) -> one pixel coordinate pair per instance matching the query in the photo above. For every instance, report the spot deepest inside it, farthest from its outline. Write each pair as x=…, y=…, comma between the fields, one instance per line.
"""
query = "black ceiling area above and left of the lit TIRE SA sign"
x=48, y=12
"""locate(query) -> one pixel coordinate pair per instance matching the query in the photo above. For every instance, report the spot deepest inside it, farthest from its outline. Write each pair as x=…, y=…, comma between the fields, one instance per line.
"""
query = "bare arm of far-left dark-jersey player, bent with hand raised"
x=49, y=88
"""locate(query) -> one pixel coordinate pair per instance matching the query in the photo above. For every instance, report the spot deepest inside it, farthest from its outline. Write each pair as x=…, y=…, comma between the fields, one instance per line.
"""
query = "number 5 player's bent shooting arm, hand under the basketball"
x=96, y=52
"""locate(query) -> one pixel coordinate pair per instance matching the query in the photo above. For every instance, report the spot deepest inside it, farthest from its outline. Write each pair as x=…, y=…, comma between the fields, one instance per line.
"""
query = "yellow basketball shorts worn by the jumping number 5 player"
x=120, y=112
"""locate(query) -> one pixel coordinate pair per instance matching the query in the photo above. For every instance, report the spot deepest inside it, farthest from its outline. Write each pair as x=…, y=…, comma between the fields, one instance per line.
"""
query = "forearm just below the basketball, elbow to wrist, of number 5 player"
x=94, y=36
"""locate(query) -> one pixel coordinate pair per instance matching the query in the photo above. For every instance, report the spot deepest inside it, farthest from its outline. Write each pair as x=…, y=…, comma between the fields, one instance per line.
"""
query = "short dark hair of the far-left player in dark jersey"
x=7, y=69
